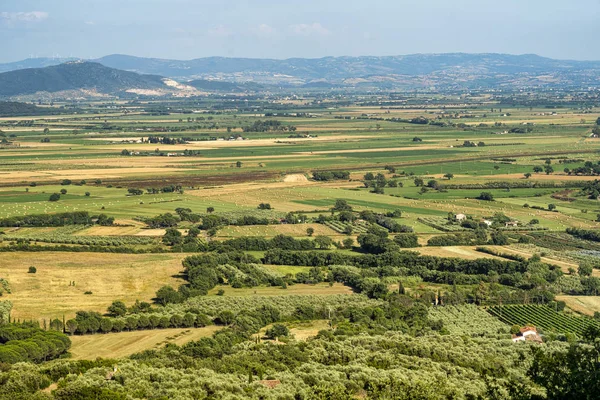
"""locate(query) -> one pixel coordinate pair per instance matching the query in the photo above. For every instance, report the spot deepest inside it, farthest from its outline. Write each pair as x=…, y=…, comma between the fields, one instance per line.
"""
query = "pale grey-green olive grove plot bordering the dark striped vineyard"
x=468, y=319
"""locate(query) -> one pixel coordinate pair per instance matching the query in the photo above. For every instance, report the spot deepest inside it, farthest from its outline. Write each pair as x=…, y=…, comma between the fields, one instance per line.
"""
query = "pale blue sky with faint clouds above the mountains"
x=187, y=29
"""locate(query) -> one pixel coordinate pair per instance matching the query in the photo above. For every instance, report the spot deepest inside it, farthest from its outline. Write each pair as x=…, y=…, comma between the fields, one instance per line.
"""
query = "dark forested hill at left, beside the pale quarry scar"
x=77, y=76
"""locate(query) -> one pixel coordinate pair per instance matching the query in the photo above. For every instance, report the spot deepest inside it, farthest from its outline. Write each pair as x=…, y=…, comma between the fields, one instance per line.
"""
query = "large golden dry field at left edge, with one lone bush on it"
x=47, y=294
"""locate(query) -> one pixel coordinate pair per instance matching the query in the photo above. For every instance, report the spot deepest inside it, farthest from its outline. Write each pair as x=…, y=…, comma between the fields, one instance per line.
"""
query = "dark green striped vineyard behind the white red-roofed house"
x=543, y=317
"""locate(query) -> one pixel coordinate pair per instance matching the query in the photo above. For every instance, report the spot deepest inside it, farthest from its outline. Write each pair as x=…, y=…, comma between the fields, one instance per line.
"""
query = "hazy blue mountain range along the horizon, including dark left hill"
x=121, y=73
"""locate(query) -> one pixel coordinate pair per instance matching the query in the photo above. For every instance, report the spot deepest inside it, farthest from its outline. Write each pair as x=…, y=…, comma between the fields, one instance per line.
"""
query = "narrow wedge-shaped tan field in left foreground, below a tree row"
x=123, y=344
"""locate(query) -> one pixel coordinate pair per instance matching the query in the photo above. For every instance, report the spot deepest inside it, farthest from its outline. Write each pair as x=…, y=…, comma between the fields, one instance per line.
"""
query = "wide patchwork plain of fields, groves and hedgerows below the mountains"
x=300, y=239
